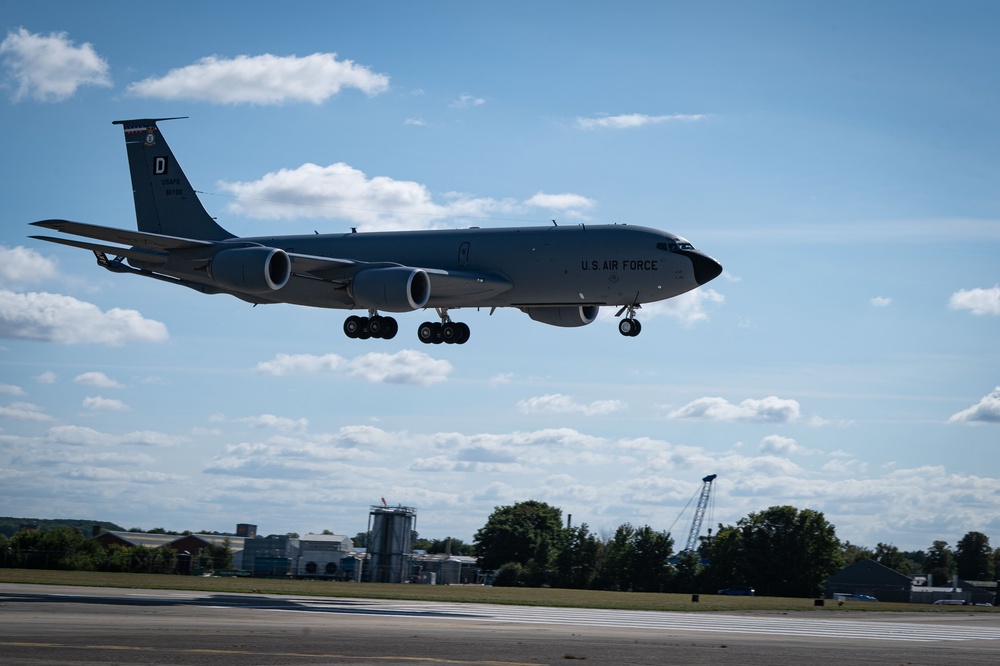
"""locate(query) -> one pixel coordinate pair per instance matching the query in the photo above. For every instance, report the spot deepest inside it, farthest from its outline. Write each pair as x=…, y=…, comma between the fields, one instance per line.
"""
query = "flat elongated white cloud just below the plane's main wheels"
x=403, y=367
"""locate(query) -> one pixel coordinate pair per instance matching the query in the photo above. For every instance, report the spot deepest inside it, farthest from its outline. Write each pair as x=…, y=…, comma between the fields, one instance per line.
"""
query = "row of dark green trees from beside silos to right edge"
x=780, y=551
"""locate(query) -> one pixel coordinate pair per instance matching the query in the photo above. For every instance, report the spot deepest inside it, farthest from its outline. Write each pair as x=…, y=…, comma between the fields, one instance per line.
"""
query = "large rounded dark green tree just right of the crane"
x=781, y=551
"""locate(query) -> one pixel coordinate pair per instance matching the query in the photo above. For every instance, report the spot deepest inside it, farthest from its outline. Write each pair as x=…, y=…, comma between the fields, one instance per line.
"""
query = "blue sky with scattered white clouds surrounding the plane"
x=839, y=159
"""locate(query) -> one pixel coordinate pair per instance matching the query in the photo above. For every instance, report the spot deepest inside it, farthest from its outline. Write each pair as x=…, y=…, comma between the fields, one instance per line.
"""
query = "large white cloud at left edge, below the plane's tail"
x=64, y=319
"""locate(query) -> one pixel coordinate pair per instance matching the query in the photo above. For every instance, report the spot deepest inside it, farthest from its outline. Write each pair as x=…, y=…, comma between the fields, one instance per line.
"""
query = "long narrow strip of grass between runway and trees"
x=458, y=593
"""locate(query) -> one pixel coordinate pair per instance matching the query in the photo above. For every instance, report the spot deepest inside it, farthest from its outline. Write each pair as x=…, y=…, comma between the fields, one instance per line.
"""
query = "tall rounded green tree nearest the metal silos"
x=528, y=533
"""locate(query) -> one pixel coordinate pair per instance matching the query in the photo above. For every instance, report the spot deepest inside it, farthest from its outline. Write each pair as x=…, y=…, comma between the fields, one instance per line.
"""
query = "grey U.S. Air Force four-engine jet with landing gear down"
x=557, y=275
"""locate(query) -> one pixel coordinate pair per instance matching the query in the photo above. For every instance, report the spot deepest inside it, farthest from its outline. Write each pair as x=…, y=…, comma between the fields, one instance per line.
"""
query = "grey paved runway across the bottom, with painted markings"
x=77, y=625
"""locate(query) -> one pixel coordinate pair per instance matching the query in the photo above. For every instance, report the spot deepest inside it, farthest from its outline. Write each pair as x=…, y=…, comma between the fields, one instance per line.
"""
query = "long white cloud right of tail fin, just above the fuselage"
x=343, y=192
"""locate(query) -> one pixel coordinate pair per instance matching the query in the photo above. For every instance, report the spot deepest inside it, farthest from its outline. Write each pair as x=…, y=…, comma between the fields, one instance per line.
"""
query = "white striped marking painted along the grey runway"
x=814, y=627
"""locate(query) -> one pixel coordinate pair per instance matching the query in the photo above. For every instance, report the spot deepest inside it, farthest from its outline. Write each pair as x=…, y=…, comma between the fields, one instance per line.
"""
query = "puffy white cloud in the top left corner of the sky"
x=51, y=68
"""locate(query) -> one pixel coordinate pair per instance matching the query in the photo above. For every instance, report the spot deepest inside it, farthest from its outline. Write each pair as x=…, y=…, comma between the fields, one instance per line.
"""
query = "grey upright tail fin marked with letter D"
x=165, y=202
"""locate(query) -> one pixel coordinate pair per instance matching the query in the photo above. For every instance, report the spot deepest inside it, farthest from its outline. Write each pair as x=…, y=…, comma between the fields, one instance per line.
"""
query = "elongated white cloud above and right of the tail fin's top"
x=264, y=79
